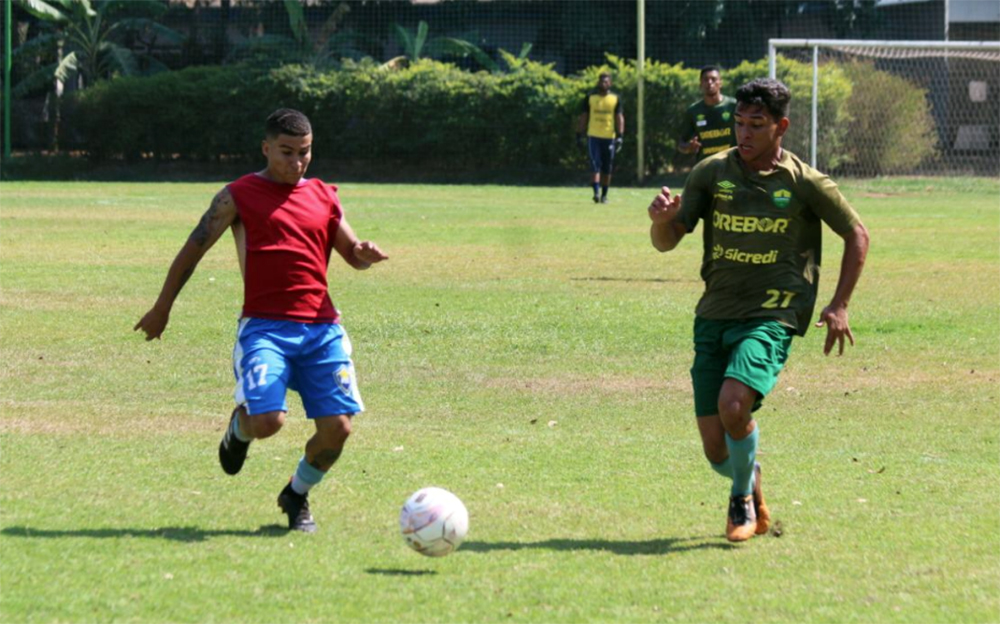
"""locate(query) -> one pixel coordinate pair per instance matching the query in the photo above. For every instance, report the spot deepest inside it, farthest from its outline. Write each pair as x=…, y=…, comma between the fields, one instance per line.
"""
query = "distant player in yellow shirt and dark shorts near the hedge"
x=604, y=122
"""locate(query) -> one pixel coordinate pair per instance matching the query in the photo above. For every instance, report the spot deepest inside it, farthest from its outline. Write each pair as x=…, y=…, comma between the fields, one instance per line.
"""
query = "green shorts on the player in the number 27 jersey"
x=751, y=351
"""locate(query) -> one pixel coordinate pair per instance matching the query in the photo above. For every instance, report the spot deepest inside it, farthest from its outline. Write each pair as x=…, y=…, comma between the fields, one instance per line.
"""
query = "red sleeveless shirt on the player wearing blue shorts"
x=289, y=237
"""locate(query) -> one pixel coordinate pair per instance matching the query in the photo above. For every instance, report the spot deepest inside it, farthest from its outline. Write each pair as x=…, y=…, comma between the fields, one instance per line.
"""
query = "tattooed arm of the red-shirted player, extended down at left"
x=217, y=219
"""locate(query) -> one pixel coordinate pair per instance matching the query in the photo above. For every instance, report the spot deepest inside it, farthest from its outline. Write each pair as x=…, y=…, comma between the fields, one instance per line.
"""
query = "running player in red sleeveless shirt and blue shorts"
x=290, y=335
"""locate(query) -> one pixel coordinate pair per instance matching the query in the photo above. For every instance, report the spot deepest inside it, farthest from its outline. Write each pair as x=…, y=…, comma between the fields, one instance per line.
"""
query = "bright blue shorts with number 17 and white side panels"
x=314, y=359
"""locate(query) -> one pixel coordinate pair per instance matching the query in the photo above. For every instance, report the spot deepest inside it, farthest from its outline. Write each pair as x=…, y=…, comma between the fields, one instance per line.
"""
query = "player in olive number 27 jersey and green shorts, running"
x=763, y=211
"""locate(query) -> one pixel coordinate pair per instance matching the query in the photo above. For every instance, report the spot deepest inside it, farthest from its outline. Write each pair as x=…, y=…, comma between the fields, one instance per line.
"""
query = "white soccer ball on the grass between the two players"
x=433, y=522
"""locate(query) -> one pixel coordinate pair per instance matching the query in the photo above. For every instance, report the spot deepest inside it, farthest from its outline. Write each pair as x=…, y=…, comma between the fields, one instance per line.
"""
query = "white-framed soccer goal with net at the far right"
x=915, y=107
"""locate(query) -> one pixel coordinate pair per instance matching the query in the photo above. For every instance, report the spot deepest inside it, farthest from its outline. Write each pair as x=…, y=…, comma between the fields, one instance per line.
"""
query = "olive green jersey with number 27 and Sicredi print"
x=762, y=236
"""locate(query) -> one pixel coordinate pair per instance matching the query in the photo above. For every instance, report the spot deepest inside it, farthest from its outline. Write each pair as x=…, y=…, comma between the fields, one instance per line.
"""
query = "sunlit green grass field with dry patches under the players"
x=529, y=351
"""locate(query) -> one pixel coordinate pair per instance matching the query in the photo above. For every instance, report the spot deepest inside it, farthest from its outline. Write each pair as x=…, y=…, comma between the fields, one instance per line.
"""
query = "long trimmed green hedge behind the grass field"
x=435, y=115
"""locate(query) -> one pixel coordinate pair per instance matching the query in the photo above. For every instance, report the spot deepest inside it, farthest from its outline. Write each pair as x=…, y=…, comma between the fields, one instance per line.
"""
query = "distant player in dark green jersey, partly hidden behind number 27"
x=708, y=124
